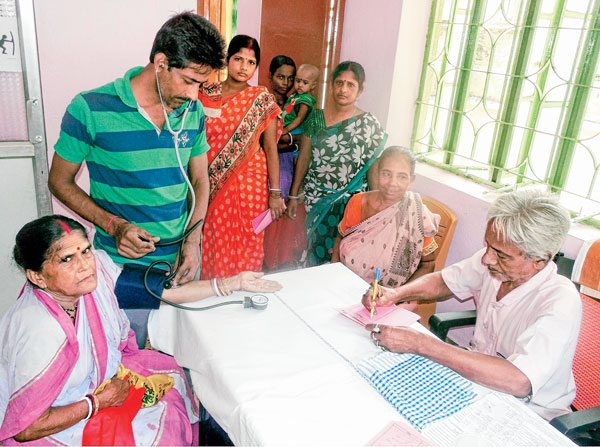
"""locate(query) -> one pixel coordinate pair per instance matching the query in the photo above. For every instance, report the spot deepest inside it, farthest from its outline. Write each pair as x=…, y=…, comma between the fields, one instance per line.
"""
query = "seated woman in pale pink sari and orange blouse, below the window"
x=390, y=228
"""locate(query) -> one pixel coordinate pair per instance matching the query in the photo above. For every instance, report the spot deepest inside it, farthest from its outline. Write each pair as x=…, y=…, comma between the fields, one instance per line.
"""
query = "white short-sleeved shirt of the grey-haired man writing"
x=534, y=326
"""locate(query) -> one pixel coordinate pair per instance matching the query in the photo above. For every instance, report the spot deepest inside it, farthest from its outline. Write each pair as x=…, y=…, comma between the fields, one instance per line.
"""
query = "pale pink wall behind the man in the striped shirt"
x=84, y=44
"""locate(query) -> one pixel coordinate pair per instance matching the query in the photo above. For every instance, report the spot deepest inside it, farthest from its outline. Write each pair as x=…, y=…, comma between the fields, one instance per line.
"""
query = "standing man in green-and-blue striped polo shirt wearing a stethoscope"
x=138, y=194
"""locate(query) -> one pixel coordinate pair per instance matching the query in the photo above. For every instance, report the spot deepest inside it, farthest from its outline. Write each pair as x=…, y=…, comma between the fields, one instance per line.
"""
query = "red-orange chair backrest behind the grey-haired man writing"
x=586, y=369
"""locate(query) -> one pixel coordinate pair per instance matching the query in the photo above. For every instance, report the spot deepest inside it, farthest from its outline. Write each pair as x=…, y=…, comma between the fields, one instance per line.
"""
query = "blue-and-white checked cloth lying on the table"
x=421, y=390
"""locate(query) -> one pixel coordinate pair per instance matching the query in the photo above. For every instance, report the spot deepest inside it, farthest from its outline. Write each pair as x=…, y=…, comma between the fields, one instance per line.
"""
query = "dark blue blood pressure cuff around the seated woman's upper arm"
x=131, y=292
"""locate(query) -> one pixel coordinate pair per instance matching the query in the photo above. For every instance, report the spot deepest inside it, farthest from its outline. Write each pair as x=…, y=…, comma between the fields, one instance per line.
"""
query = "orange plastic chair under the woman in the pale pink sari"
x=444, y=239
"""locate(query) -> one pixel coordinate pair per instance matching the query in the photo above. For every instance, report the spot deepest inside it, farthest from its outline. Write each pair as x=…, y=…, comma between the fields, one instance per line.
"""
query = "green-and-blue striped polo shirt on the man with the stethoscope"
x=133, y=170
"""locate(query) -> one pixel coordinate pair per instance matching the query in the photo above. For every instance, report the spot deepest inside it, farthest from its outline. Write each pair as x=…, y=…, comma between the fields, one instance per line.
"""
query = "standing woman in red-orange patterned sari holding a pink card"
x=242, y=129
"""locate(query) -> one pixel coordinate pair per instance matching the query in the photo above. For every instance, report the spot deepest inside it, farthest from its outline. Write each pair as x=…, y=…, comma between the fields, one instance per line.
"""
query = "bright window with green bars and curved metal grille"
x=510, y=95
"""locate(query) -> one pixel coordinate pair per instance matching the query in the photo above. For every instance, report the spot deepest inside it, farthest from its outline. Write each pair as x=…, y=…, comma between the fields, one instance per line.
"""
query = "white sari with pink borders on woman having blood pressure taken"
x=47, y=361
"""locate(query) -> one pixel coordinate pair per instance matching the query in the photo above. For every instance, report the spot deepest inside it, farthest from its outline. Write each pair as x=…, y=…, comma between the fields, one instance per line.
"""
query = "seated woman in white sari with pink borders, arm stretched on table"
x=67, y=351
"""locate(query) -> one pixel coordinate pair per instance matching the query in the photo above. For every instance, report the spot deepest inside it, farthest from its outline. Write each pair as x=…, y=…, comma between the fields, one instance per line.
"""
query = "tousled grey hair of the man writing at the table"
x=532, y=220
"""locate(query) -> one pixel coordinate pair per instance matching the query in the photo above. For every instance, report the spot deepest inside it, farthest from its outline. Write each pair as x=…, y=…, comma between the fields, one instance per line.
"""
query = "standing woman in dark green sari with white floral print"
x=339, y=145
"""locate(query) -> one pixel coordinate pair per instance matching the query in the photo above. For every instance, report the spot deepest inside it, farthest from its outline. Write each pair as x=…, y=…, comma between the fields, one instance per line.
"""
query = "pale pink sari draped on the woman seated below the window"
x=391, y=240
